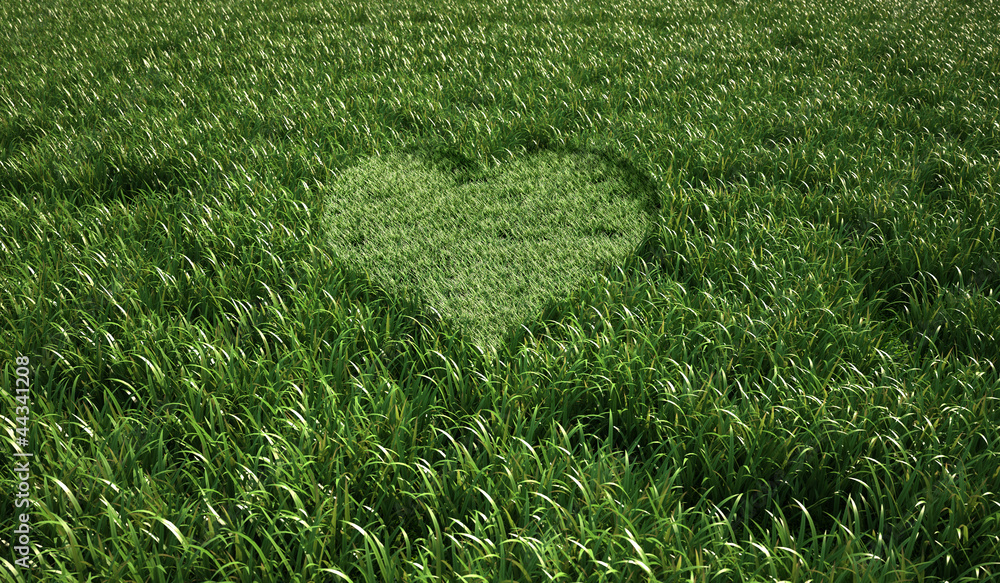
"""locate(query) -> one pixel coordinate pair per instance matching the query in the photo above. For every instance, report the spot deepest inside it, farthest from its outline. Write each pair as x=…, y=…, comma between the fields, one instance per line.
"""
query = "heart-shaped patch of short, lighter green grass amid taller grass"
x=487, y=249
